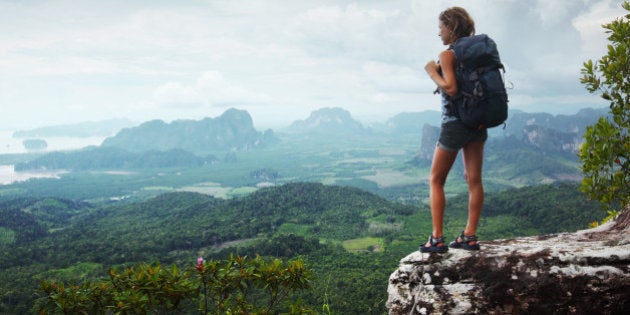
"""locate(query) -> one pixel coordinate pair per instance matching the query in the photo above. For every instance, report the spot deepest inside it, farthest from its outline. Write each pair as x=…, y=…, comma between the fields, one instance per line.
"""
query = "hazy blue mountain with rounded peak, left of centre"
x=232, y=131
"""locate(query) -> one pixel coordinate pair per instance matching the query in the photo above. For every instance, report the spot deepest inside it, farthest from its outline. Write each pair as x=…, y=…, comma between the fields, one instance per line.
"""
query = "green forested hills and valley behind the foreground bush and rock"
x=352, y=239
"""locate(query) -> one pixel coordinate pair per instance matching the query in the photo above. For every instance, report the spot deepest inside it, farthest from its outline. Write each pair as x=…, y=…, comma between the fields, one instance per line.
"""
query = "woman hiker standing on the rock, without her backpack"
x=454, y=23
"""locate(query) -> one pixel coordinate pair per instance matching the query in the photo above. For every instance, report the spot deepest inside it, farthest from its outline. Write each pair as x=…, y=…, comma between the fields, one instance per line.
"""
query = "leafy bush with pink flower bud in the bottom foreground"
x=236, y=285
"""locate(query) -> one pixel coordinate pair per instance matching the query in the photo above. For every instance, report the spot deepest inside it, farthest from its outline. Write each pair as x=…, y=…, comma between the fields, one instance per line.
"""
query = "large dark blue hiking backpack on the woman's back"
x=481, y=100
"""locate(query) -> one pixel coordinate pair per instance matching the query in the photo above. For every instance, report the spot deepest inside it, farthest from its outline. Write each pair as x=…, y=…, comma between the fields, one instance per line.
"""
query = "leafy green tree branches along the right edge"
x=605, y=153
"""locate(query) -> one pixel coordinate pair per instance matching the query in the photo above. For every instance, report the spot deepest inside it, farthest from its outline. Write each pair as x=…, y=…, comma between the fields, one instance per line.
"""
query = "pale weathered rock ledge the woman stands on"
x=587, y=272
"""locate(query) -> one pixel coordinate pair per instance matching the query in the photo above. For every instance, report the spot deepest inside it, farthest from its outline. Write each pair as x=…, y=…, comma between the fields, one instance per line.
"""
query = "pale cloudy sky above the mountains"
x=69, y=61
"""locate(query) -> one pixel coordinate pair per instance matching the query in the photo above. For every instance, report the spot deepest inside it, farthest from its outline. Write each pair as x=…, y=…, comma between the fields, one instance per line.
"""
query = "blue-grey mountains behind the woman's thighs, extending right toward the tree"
x=533, y=146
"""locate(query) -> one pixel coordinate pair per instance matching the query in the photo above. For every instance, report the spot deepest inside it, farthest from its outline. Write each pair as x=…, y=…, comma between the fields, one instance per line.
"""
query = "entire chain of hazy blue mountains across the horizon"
x=538, y=145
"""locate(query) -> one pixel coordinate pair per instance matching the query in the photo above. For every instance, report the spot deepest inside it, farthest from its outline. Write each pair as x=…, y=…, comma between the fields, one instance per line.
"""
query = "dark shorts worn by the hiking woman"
x=454, y=135
